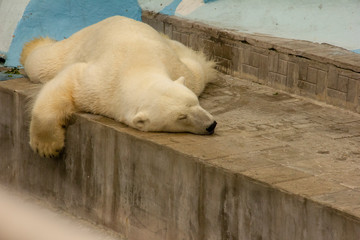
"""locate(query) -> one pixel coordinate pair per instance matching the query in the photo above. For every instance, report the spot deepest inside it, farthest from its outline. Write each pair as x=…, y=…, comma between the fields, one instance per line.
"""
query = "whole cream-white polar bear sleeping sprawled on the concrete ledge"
x=119, y=68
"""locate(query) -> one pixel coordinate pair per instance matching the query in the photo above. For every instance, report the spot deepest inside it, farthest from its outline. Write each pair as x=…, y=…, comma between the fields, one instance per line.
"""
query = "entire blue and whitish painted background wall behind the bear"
x=334, y=22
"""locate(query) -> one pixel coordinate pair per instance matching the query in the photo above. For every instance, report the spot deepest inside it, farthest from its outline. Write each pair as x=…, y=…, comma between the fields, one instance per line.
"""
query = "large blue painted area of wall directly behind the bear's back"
x=59, y=19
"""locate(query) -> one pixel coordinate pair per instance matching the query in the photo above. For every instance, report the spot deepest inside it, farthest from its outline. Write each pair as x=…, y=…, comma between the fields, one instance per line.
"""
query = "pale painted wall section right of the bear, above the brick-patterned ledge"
x=334, y=22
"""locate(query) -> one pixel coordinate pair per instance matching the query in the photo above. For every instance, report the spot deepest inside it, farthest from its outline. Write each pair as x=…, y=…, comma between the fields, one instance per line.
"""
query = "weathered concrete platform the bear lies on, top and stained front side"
x=278, y=167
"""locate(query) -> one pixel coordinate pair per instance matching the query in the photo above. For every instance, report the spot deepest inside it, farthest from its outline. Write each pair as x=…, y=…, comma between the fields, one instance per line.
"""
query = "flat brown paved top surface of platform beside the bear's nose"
x=292, y=143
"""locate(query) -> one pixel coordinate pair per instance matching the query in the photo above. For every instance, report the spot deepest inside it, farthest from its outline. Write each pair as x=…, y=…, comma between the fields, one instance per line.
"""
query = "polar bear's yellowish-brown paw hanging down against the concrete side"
x=47, y=142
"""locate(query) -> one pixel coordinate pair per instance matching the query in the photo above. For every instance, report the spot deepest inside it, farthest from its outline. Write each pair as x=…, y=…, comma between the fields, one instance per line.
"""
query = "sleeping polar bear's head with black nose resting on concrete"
x=172, y=107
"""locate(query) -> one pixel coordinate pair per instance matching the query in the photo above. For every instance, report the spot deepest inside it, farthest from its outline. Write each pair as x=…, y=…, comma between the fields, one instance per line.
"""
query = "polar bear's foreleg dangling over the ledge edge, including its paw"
x=52, y=108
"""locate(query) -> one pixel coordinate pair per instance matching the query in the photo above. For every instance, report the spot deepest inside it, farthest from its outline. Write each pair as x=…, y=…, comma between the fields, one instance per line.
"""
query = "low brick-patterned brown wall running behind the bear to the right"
x=320, y=71
